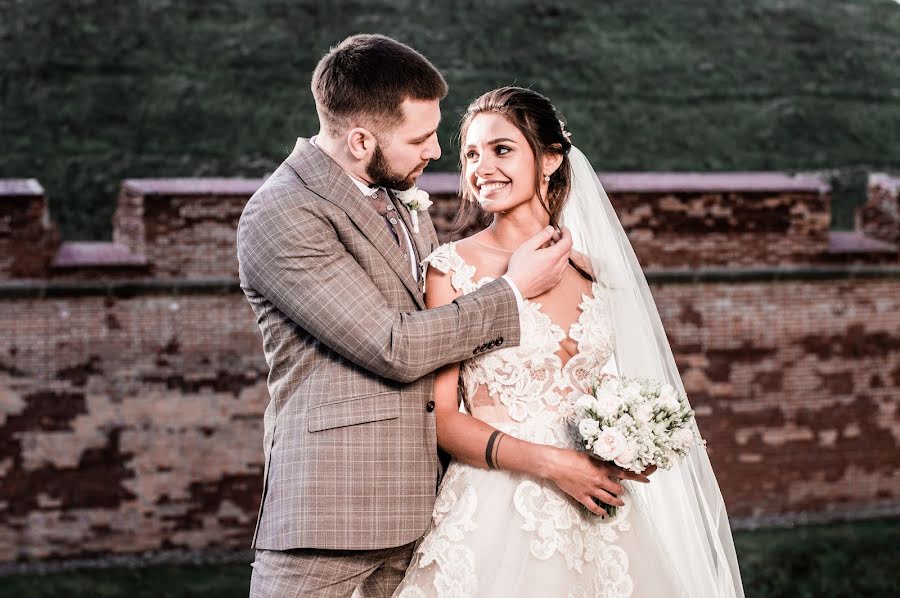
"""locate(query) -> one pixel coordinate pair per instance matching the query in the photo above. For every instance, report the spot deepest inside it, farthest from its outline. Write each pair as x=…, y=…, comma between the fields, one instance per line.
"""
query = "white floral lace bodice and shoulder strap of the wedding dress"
x=531, y=387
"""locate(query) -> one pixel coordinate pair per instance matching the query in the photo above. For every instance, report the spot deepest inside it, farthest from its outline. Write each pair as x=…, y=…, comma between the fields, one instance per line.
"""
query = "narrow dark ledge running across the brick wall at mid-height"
x=42, y=288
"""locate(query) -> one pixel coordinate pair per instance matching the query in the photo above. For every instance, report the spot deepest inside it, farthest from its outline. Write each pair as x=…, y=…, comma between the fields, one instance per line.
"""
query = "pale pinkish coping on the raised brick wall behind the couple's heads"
x=447, y=183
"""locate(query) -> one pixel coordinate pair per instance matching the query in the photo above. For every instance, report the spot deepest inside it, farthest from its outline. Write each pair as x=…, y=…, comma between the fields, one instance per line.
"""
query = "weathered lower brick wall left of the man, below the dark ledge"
x=129, y=425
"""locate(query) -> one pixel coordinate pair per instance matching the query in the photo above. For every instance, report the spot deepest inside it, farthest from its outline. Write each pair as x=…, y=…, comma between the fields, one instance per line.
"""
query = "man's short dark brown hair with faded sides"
x=366, y=78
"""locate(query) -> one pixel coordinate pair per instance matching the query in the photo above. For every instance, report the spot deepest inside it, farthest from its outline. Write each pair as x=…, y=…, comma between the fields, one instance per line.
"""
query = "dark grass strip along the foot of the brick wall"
x=825, y=561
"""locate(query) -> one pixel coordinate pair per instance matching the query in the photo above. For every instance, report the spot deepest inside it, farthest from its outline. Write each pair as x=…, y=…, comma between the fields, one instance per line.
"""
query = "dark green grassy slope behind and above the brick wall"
x=93, y=92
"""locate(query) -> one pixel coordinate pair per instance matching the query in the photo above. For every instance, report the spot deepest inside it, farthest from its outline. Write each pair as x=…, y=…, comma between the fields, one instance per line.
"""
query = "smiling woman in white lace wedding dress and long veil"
x=515, y=514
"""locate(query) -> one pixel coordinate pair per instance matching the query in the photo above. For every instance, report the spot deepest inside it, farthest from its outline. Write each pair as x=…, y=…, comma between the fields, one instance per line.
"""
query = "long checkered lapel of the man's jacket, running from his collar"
x=329, y=181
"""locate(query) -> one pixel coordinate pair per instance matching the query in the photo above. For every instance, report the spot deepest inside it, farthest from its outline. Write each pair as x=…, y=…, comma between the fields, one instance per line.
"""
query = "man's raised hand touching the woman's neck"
x=536, y=270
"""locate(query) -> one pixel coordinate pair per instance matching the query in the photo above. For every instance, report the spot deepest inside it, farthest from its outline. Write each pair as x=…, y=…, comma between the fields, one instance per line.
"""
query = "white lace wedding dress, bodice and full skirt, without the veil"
x=499, y=534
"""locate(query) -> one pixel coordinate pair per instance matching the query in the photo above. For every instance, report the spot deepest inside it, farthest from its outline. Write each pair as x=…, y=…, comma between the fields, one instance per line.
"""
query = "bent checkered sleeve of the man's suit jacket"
x=291, y=254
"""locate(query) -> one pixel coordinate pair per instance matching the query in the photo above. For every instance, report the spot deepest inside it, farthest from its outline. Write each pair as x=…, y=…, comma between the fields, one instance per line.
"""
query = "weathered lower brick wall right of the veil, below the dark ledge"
x=796, y=386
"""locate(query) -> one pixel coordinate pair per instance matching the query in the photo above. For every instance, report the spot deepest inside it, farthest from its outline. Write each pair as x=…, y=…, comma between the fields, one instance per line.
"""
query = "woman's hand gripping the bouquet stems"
x=584, y=478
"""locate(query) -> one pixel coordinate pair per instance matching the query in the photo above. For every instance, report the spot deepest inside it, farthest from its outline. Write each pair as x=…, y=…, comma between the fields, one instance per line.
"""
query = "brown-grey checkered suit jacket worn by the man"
x=349, y=439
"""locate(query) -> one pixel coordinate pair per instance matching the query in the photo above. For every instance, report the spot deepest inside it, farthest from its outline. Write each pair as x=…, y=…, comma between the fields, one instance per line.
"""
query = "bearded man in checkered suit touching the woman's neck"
x=329, y=262
